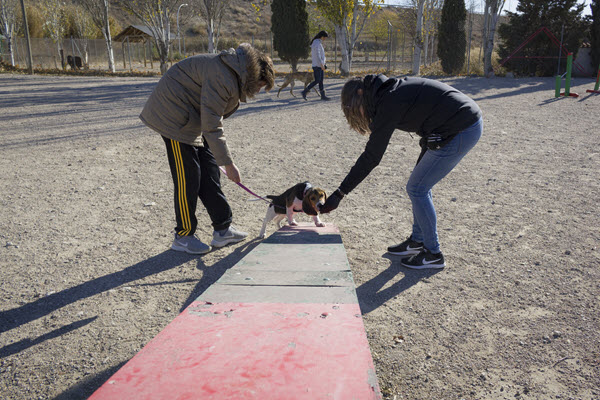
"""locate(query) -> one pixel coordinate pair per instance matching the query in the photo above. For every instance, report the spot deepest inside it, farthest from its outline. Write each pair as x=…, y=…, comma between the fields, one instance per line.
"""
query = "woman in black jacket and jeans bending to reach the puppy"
x=449, y=124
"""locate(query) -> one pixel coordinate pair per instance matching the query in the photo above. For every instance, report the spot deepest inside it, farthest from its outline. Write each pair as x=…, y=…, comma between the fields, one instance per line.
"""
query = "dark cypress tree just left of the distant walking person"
x=289, y=24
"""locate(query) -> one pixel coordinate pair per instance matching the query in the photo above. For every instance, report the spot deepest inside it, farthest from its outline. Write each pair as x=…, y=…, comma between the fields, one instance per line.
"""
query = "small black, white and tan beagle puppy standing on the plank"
x=299, y=198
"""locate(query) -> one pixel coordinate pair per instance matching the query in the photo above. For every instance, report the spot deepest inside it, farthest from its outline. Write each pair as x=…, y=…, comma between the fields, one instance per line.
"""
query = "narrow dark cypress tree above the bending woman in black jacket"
x=453, y=39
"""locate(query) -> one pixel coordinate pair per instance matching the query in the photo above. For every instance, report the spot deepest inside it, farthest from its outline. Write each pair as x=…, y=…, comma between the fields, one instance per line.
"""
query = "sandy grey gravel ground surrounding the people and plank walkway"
x=86, y=217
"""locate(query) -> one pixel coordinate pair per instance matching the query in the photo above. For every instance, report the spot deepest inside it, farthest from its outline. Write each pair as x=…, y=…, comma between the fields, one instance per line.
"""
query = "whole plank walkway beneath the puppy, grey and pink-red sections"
x=283, y=323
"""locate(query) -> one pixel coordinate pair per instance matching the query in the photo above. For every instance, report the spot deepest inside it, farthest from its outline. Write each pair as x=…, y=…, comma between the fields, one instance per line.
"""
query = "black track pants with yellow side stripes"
x=196, y=175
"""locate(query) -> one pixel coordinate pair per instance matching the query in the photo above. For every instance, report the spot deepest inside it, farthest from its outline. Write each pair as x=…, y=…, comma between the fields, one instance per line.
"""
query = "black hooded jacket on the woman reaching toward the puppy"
x=433, y=110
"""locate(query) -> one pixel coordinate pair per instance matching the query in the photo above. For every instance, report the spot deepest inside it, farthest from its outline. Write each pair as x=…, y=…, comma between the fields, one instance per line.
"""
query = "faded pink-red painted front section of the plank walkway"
x=252, y=351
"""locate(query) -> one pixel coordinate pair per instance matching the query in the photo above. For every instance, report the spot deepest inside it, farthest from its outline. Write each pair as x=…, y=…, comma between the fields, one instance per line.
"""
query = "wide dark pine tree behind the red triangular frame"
x=539, y=56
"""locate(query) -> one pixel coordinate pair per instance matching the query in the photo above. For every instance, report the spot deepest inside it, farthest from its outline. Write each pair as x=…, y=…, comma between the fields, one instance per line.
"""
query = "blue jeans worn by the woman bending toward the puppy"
x=434, y=166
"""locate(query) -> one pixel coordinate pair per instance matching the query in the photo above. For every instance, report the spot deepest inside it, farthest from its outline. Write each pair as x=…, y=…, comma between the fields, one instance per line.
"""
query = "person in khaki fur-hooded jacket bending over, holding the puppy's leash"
x=187, y=108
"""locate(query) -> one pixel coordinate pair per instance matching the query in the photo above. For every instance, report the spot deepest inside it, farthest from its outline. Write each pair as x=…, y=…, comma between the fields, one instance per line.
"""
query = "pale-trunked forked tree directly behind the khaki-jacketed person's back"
x=156, y=16
